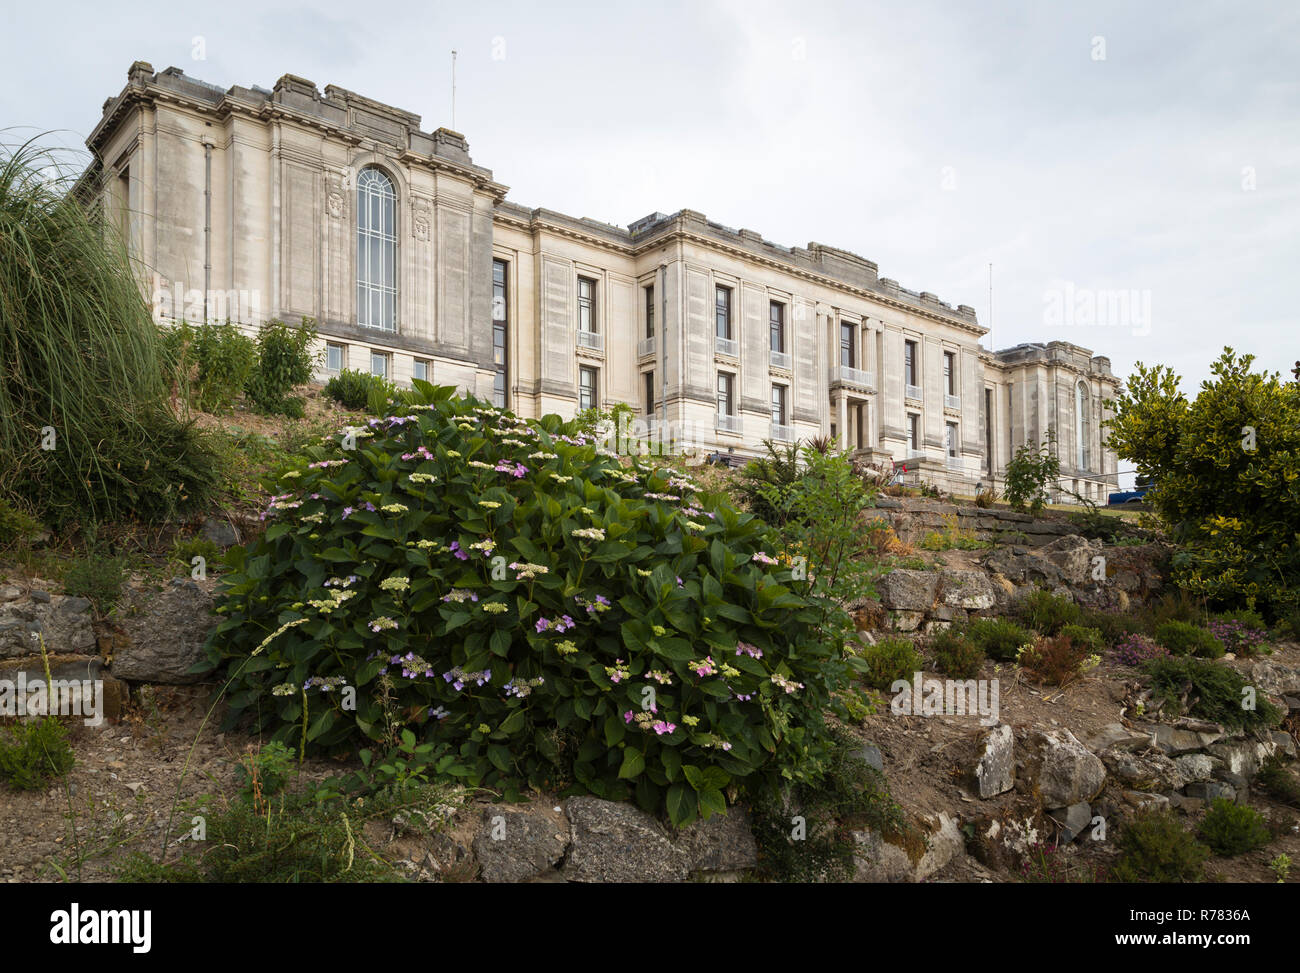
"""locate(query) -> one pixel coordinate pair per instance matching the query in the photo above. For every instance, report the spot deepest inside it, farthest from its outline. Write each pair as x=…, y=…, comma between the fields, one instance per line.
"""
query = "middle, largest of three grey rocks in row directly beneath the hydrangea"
x=619, y=844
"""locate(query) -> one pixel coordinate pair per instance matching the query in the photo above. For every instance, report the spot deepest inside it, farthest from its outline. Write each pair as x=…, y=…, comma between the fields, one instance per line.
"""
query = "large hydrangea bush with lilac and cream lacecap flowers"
x=532, y=606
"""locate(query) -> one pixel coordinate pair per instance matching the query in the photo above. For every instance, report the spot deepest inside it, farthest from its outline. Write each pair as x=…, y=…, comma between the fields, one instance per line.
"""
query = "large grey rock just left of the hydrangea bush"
x=166, y=637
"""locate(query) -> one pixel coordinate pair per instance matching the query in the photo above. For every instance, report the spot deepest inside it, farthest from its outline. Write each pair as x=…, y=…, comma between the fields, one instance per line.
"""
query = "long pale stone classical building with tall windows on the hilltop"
x=249, y=205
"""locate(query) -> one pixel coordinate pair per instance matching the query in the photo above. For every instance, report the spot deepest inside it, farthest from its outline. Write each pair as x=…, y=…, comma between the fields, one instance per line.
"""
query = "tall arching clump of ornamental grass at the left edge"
x=86, y=430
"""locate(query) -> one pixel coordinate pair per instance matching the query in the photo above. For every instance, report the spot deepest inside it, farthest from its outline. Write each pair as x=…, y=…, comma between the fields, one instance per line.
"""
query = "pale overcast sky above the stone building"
x=1086, y=150
